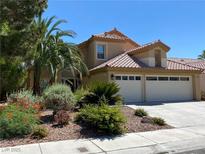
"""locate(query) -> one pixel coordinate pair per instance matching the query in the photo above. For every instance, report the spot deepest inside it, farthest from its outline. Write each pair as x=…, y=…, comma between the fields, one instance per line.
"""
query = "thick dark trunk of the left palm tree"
x=36, y=80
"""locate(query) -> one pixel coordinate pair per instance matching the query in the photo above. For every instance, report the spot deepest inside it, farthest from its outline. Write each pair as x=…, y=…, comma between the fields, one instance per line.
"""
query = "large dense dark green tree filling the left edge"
x=16, y=40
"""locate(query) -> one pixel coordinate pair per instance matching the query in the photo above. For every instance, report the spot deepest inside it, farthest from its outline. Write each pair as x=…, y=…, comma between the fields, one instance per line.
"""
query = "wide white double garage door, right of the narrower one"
x=169, y=88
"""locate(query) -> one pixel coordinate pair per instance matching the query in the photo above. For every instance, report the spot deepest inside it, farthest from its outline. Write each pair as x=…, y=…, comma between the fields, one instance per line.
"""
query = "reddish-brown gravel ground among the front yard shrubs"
x=75, y=131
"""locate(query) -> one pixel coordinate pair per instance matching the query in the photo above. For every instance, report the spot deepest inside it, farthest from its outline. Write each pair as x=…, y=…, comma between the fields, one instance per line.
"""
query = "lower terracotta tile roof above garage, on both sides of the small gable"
x=126, y=61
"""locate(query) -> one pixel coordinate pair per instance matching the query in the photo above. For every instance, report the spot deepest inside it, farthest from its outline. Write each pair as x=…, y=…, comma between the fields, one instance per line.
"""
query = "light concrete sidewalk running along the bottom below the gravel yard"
x=160, y=141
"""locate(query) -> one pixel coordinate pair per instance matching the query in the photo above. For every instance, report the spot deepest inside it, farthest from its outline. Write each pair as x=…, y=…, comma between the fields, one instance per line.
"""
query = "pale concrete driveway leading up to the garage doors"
x=179, y=115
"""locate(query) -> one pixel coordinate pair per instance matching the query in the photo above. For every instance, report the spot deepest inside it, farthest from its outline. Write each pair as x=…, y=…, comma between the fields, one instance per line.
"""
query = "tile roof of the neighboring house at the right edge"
x=198, y=63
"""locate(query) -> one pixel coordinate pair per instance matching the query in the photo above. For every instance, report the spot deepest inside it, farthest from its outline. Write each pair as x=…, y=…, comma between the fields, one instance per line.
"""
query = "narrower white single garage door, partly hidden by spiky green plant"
x=130, y=87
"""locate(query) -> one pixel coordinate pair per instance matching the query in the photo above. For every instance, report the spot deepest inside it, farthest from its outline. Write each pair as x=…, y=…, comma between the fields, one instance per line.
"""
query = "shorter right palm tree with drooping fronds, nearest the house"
x=64, y=56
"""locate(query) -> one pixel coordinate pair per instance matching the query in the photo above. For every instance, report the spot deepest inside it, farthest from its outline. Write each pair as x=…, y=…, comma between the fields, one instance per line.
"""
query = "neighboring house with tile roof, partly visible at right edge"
x=198, y=63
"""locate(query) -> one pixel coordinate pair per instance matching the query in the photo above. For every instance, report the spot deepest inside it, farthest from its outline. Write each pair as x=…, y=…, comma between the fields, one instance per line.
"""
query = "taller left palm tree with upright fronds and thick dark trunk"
x=44, y=29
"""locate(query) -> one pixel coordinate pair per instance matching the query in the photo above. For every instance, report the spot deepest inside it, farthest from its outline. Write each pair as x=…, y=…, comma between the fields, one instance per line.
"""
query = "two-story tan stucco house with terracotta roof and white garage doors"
x=143, y=72
